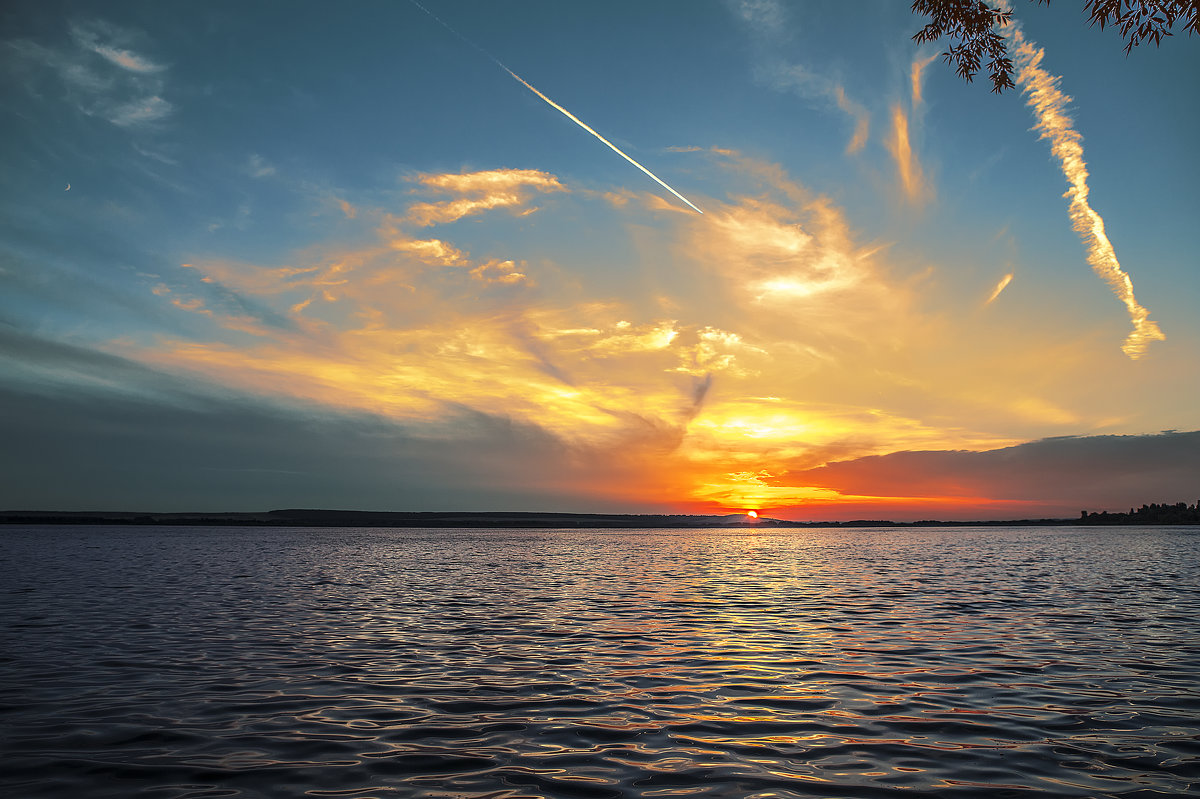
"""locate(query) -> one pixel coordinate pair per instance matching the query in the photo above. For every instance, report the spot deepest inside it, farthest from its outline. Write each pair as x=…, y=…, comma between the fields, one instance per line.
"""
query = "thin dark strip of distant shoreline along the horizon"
x=314, y=518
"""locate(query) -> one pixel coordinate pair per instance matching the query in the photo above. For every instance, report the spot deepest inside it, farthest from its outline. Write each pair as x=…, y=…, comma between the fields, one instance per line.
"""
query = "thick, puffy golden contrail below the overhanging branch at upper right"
x=1049, y=107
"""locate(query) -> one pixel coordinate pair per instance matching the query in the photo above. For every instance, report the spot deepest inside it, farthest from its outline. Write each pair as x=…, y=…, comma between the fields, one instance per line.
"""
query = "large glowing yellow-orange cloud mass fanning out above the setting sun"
x=772, y=346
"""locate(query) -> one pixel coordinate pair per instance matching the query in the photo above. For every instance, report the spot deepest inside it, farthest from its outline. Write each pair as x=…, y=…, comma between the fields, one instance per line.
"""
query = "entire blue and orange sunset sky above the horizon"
x=335, y=256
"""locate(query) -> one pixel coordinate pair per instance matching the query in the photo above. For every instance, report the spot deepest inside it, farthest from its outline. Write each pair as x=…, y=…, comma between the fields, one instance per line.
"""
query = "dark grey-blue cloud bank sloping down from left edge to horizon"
x=87, y=430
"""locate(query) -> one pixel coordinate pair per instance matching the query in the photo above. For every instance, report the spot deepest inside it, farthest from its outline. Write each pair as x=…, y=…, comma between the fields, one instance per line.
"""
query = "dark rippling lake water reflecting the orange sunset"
x=370, y=663
